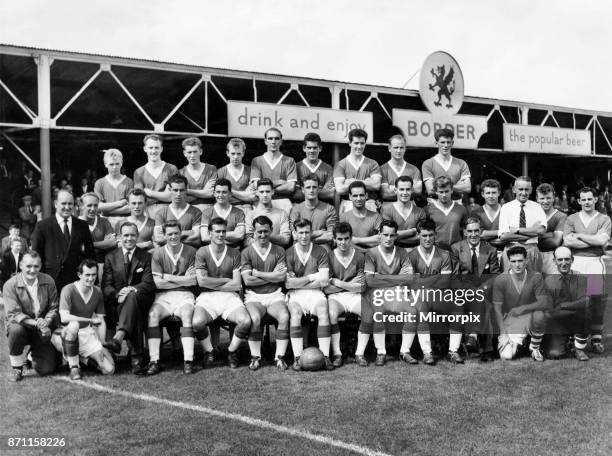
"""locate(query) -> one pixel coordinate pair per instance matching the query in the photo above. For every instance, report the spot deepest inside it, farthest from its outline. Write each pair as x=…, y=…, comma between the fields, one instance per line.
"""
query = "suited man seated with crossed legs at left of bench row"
x=128, y=287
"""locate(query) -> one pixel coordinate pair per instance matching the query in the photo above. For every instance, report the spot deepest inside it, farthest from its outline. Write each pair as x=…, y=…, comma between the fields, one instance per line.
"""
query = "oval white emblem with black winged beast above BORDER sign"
x=441, y=84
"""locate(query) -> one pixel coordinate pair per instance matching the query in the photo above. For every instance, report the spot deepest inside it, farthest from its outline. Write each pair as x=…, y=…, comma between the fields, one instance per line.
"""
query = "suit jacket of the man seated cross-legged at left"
x=114, y=277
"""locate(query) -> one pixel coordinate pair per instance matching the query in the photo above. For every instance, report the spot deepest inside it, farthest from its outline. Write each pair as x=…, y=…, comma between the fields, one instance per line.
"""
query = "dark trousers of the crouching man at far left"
x=44, y=355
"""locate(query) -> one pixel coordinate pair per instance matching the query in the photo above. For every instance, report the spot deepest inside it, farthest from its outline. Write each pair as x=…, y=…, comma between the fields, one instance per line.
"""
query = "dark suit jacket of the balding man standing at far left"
x=59, y=259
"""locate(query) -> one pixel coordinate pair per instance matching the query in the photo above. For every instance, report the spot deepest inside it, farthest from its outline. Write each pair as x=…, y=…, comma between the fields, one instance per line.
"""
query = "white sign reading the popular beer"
x=528, y=138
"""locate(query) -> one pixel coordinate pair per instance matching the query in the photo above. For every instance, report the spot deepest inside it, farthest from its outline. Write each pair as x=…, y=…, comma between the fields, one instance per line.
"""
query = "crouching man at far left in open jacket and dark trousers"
x=31, y=312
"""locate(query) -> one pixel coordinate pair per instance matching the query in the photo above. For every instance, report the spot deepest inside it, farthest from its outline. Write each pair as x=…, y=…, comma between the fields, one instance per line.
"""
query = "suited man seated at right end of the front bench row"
x=474, y=260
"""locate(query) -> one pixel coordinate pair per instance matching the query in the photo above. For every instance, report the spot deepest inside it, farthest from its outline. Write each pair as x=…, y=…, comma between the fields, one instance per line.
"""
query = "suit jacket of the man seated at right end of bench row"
x=461, y=254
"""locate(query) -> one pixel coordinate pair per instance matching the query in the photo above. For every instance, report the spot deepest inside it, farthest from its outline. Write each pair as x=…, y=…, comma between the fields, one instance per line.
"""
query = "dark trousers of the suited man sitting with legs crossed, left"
x=132, y=318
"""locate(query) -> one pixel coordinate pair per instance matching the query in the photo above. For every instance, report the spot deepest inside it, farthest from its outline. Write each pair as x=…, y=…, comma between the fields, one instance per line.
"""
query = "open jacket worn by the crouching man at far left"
x=18, y=304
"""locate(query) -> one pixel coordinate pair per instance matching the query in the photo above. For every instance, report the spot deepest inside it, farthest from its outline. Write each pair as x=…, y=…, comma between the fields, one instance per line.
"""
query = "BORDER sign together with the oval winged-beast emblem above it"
x=441, y=89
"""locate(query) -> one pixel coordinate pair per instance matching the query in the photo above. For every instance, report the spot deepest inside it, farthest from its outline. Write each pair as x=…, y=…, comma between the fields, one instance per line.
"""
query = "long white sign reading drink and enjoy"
x=252, y=119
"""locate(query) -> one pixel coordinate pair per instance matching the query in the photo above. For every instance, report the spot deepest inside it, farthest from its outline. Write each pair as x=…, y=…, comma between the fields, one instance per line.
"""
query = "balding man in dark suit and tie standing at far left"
x=62, y=241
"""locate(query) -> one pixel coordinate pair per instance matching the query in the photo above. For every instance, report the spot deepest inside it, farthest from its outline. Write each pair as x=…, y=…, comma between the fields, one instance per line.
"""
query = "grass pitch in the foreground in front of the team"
x=503, y=408
